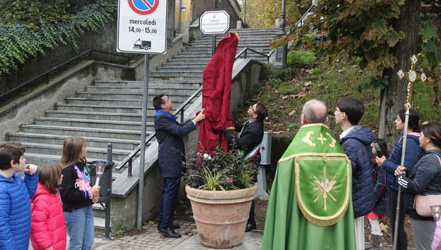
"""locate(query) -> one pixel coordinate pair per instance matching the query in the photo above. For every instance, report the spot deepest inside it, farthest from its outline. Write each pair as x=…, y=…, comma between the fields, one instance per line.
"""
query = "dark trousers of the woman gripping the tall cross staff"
x=402, y=237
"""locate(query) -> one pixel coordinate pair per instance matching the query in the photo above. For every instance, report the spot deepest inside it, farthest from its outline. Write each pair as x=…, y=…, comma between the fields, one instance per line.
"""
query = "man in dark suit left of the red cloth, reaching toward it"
x=171, y=158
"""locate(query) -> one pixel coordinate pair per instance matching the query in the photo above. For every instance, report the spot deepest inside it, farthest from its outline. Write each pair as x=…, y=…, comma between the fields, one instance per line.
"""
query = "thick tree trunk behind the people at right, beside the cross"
x=394, y=96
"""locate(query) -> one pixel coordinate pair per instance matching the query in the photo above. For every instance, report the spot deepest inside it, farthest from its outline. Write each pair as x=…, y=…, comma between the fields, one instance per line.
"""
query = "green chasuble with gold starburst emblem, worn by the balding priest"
x=310, y=206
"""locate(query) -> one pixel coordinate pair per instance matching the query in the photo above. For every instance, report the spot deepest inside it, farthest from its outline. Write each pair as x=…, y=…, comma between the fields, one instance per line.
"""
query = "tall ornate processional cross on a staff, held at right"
x=411, y=75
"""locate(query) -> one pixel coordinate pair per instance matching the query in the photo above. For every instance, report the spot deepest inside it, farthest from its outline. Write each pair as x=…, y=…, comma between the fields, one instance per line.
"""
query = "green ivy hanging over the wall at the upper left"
x=19, y=42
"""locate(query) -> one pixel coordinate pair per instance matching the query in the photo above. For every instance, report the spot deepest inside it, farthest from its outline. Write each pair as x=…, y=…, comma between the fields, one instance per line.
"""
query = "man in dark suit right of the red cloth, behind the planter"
x=248, y=142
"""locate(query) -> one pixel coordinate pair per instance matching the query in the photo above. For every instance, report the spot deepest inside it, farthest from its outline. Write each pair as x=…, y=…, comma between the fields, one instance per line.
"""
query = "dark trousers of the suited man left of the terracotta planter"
x=169, y=194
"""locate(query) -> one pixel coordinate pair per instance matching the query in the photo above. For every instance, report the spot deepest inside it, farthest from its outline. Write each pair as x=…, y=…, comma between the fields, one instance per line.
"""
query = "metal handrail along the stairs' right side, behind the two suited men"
x=129, y=159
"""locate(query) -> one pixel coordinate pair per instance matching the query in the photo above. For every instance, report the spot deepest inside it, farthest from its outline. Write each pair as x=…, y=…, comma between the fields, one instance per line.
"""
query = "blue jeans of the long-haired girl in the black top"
x=80, y=228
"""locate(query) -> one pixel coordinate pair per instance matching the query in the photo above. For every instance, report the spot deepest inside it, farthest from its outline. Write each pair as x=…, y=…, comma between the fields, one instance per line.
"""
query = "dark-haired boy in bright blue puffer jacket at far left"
x=15, y=194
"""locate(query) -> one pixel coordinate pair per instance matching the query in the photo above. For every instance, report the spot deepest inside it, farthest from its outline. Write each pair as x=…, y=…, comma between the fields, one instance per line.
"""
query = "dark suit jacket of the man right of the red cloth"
x=251, y=136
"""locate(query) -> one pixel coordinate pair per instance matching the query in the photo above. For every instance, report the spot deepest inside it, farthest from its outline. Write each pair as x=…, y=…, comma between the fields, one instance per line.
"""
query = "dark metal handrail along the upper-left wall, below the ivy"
x=48, y=73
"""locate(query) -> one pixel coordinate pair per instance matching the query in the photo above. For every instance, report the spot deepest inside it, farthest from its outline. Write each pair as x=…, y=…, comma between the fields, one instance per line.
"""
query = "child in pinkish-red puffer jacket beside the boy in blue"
x=48, y=229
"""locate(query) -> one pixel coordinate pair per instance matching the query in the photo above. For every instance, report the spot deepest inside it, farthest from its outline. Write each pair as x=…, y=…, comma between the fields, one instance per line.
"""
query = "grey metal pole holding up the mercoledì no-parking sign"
x=143, y=136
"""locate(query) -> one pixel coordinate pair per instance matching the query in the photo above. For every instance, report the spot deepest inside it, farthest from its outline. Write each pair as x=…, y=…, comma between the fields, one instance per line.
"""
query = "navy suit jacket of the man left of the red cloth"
x=171, y=155
